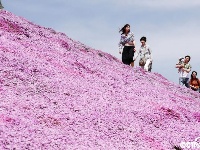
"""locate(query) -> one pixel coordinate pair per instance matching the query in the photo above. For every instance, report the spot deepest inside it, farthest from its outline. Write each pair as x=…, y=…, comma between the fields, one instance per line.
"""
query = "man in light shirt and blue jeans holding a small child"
x=185, y=69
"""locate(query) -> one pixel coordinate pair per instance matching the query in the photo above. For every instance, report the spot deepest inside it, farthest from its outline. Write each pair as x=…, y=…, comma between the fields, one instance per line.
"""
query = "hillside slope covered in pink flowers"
x=58, y=94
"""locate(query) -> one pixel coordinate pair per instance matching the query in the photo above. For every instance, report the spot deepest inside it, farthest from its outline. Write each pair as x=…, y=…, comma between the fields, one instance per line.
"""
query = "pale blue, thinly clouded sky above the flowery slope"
x=172, y=28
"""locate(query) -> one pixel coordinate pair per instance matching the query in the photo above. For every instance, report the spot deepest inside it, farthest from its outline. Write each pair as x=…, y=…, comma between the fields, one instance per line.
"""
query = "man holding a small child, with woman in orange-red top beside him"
x=184, y=69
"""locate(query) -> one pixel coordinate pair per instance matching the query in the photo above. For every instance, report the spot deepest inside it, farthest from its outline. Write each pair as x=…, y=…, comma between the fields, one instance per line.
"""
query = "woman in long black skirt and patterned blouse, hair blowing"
x=128, y=43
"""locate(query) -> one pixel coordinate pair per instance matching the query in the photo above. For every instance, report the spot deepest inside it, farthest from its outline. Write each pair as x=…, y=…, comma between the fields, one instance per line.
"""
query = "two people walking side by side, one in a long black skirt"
x=127, y=48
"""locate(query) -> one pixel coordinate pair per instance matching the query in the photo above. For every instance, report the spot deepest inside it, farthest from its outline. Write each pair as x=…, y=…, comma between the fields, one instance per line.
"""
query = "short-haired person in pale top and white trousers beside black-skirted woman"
x=145, y=55
